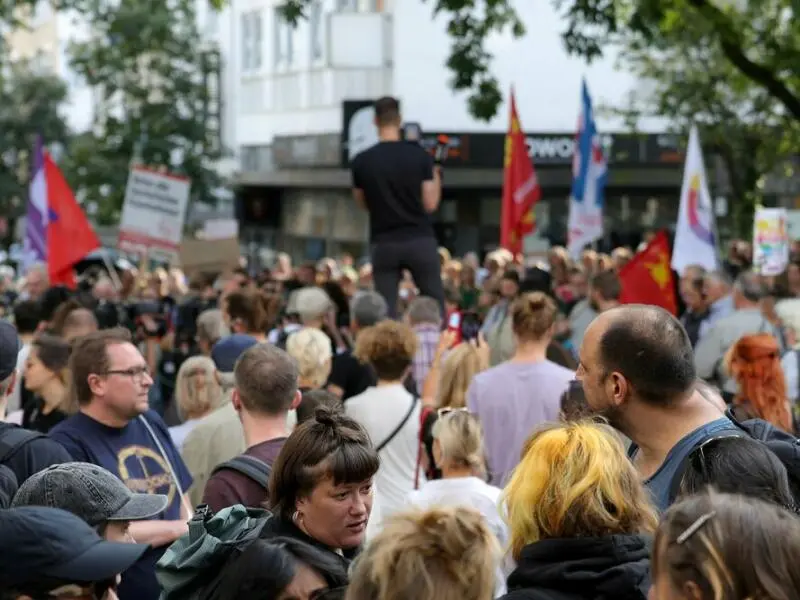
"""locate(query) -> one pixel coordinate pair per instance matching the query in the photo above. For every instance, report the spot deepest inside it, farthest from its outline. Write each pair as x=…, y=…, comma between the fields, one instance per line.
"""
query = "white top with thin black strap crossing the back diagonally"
x=380, y=410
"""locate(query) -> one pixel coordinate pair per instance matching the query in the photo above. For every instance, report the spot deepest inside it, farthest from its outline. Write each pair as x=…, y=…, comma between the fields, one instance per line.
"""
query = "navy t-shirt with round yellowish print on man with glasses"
x=132, y=455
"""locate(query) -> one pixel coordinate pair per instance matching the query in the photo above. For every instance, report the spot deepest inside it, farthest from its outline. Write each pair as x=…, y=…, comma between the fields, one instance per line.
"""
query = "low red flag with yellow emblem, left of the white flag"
x=647, y=278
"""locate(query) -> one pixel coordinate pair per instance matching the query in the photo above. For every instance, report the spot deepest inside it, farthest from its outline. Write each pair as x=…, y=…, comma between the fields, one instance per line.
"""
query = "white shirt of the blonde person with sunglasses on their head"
x=474, y=493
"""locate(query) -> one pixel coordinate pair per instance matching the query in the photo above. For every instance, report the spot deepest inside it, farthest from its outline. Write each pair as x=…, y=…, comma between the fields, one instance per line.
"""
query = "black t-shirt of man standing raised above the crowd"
x=391, y=174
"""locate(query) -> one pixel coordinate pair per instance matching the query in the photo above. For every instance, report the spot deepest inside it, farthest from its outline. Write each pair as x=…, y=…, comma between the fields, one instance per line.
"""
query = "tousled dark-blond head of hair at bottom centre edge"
x=439, y=554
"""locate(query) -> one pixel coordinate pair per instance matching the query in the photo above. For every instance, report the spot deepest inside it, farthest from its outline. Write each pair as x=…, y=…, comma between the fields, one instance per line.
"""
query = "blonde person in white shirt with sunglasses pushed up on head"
x=459, y=456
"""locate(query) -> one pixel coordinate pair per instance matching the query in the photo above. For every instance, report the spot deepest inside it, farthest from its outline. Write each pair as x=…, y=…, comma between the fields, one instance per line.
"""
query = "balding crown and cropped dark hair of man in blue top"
x=650, y=348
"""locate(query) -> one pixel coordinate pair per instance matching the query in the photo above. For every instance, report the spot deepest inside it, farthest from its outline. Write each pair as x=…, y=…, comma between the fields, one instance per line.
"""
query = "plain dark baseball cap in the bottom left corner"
x=40, y=542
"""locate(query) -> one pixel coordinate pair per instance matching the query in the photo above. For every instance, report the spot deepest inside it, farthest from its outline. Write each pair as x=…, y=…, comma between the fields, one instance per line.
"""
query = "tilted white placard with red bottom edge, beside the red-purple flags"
x=153, y=212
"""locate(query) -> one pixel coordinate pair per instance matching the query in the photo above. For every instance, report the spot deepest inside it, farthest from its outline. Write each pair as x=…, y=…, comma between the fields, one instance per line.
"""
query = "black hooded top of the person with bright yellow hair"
x=614, y=567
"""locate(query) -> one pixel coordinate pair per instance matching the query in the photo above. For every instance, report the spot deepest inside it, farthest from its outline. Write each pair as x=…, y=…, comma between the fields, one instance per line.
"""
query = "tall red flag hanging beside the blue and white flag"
x=521, y=189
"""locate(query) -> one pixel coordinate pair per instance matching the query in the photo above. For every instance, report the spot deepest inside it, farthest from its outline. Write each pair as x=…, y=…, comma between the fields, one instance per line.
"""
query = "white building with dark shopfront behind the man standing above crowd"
x=288, y=86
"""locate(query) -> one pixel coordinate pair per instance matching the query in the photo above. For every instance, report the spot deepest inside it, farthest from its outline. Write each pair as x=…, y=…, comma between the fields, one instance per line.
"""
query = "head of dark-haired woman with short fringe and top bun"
x=321, y=485
